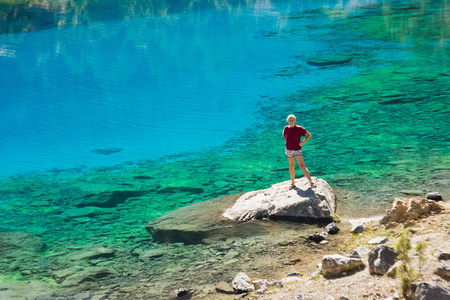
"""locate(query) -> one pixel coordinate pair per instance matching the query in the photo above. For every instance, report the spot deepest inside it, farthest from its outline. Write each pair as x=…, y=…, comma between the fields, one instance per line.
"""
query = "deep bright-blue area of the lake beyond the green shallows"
x=148, y=86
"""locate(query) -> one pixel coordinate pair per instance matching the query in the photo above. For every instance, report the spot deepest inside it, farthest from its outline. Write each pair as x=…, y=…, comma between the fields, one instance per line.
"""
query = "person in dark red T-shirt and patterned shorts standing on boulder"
x=292, y=134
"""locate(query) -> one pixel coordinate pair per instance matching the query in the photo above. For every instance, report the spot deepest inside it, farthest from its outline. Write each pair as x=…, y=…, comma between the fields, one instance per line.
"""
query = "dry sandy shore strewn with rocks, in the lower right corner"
x=362, y=273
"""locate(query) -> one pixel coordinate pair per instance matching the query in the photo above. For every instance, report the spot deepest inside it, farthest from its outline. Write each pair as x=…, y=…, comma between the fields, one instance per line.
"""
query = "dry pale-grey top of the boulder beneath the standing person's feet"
x=303, y=203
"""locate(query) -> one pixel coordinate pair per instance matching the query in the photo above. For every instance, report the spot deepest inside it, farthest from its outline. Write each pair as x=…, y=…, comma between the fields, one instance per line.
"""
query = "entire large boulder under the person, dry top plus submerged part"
x=205, y=222
